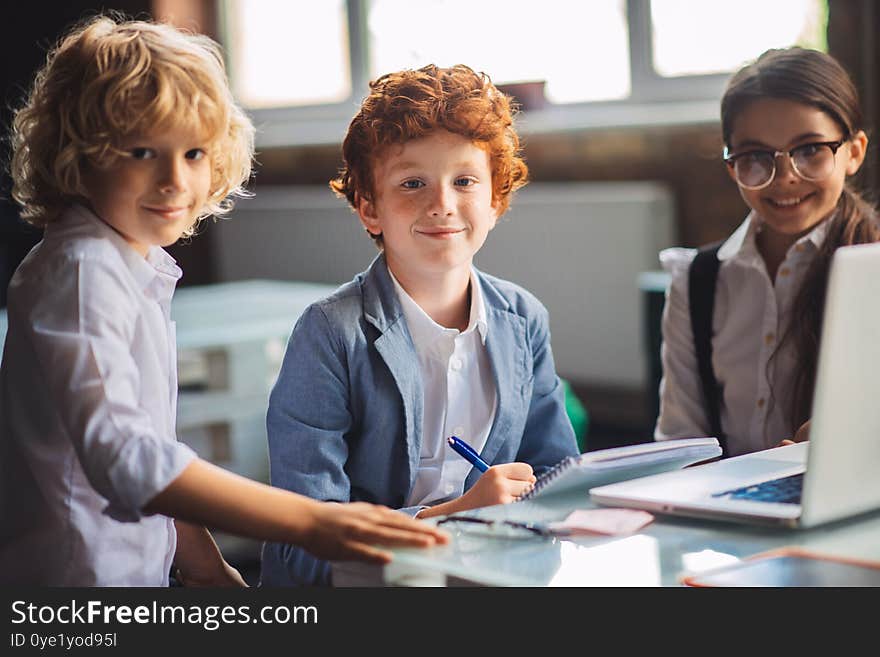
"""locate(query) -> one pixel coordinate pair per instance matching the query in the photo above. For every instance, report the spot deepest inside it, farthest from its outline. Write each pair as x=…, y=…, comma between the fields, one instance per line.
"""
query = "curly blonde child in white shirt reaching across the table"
x=128, y=139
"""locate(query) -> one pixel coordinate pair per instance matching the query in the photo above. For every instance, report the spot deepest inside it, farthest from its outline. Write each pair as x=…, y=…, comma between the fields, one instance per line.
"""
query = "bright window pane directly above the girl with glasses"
x=719, y=36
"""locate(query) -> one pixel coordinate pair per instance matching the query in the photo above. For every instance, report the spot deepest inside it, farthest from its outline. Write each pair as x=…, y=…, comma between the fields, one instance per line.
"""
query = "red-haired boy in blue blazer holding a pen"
x=422, y=345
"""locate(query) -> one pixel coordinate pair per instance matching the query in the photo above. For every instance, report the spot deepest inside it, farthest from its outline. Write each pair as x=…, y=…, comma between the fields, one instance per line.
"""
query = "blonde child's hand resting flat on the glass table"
x=349, y=532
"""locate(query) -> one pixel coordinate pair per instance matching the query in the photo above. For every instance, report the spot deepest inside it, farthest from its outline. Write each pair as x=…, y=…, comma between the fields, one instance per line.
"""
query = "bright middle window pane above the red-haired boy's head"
x=580, y=49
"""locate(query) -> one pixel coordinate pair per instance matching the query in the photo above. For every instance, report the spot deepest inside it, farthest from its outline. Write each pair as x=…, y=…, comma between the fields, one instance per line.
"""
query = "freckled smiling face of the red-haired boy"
x=433, y=206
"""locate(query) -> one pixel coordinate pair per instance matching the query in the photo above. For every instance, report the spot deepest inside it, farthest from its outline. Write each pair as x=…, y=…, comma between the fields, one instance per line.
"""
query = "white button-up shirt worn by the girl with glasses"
x=751, y=314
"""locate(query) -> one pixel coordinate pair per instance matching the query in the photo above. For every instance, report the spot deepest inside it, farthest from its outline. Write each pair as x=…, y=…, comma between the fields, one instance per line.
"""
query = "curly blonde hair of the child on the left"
x=107, y=80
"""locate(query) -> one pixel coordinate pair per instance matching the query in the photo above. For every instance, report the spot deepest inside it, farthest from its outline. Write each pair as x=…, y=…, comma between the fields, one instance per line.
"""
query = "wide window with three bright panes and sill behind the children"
x=302, y=67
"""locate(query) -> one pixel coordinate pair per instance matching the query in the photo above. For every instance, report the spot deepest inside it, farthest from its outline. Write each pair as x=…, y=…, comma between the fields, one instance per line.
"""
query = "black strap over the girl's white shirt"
x=702, y=277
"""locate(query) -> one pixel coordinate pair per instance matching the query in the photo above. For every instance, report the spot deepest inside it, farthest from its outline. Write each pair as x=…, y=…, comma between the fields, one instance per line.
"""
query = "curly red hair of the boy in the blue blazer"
x=410, y=104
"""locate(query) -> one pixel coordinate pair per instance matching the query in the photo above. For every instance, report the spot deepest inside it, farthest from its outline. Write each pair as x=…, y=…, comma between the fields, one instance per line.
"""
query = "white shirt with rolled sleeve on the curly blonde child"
x=88, y=389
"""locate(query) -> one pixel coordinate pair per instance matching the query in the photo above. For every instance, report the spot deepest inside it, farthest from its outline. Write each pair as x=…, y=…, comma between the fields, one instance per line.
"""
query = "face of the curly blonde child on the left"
x=156, y=190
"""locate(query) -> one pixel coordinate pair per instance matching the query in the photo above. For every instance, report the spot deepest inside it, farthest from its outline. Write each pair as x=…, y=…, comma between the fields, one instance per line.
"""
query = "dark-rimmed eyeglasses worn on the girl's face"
x=756, y=169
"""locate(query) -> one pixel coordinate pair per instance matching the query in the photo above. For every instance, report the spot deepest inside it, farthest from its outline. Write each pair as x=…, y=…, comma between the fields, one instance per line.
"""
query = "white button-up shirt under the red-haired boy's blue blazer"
x=459, y=393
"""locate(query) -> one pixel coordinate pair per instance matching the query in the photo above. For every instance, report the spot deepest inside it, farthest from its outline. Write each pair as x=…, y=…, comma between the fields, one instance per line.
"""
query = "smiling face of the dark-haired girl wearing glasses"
x=790, y=205
